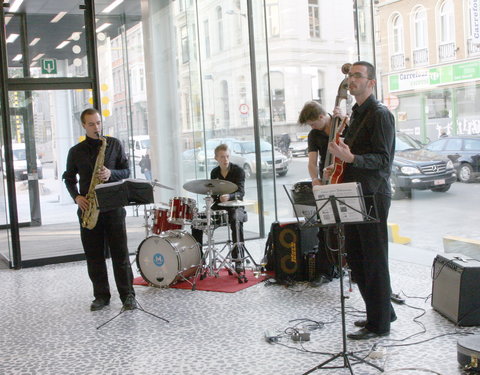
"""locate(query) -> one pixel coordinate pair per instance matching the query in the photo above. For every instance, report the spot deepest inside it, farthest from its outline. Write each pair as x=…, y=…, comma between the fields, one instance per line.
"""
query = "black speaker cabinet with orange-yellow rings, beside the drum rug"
x=294, y=250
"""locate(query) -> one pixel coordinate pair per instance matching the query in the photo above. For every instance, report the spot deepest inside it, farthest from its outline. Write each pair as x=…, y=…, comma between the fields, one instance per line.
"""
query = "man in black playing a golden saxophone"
x=95, y=161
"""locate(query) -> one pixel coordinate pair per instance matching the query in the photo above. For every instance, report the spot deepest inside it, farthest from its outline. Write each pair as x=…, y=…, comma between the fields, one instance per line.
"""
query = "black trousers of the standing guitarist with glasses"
x=367, y=256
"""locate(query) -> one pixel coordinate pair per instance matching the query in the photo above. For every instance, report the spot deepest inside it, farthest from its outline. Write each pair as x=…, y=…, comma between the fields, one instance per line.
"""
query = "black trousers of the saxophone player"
x=110, y=230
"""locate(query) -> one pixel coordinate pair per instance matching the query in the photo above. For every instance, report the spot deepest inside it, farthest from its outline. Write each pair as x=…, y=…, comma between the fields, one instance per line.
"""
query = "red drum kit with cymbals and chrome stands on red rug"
x=169, y=254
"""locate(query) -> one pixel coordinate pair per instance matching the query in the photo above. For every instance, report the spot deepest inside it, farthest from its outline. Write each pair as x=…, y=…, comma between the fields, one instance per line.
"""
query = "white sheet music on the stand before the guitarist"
x=353, y=190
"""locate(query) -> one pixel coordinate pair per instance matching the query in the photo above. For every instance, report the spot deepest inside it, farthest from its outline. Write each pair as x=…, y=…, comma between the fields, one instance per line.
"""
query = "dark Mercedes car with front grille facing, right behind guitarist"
x=417, y=168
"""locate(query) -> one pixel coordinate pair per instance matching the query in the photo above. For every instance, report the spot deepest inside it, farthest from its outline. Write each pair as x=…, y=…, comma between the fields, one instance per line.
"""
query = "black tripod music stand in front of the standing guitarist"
x=331, y=204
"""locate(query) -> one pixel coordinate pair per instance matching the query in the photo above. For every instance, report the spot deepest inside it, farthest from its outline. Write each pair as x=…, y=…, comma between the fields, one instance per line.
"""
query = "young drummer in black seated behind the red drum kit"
x=233, y=173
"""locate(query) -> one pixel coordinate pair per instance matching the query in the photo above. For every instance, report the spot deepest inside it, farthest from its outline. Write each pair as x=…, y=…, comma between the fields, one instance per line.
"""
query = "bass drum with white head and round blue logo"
x=163, y=260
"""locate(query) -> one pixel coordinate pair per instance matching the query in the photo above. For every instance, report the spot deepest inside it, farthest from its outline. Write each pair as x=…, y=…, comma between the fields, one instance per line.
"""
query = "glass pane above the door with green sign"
x=47, y=42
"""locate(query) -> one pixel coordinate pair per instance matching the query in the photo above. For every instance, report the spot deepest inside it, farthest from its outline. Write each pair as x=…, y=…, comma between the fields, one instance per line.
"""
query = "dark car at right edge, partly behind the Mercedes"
x=463, y=151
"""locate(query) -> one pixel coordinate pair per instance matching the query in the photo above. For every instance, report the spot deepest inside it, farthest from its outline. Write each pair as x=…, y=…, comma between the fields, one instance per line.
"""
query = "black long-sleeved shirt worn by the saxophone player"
x=81, y=161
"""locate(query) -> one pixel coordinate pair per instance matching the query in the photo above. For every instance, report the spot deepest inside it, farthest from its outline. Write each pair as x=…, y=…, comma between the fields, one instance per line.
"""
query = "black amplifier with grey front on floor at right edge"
x=455, y=288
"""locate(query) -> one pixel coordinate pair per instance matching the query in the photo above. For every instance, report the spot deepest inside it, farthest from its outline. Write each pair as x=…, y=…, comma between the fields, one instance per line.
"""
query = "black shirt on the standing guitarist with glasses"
x=373, y=143
